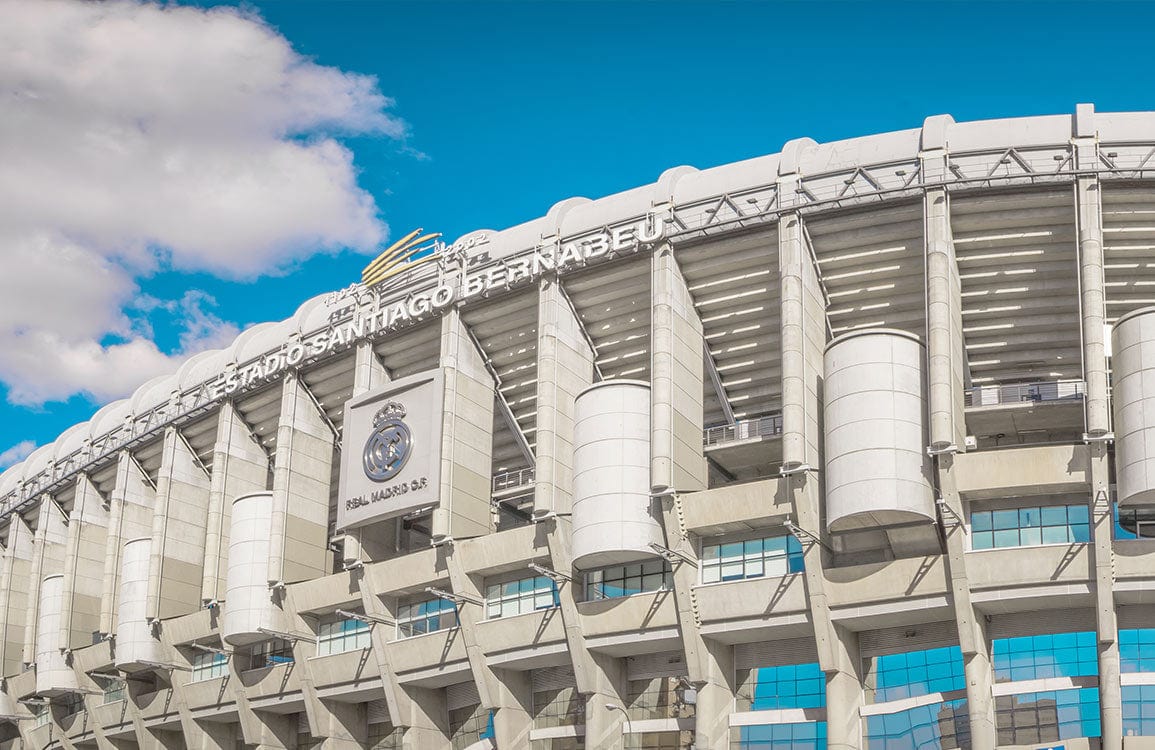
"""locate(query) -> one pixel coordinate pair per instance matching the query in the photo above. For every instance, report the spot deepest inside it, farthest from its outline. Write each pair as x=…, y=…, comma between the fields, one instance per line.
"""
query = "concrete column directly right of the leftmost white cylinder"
x=88, y=537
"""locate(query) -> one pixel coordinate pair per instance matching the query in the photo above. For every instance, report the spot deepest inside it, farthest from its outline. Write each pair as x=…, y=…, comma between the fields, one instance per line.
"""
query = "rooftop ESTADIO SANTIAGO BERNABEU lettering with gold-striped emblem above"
x=476, y=277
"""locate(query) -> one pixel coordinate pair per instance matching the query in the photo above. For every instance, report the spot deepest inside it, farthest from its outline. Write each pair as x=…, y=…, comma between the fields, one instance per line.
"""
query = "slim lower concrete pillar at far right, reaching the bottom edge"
x=1111, y=692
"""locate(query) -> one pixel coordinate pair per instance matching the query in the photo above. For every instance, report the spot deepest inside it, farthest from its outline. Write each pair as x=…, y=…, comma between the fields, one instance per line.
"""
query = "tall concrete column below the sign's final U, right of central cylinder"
x=676, y=381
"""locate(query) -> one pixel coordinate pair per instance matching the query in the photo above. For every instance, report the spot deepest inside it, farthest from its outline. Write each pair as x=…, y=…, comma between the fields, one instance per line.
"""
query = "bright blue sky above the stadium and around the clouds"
x=513, y=107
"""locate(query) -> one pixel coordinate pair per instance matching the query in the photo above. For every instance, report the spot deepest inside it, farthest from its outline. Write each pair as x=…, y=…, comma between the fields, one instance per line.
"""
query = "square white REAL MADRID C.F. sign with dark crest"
x=391, y=462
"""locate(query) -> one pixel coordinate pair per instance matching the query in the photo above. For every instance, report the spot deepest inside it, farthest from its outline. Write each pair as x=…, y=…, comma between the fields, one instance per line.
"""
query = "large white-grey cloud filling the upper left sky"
x=140, y=137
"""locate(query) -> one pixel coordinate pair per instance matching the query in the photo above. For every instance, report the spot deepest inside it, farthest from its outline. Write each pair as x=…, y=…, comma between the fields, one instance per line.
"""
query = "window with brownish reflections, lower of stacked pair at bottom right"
x=1046, y=717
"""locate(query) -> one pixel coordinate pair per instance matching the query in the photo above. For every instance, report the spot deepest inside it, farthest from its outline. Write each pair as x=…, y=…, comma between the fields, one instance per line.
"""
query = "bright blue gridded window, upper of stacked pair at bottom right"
x=1039, y=657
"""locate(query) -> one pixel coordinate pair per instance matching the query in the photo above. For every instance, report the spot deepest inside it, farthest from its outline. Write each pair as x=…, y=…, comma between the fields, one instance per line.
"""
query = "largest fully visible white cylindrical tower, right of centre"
x=877, y=467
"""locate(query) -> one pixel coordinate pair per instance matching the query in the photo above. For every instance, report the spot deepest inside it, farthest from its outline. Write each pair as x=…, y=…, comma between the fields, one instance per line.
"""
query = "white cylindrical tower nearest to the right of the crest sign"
x=613, y=508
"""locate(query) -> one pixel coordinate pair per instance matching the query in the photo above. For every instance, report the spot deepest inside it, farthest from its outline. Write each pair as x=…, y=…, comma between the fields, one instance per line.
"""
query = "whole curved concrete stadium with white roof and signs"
x=844, y=447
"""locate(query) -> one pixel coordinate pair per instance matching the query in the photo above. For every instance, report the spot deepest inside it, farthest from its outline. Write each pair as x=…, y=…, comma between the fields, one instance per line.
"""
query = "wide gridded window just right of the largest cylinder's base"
x=1027, y=526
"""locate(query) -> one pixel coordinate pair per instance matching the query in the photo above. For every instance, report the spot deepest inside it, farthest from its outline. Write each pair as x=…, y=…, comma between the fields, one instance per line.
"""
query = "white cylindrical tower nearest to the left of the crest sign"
x=249, y=603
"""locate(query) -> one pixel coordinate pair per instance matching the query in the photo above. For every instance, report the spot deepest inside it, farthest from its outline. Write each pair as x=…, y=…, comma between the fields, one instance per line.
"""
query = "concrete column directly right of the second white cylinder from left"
x=177, y=558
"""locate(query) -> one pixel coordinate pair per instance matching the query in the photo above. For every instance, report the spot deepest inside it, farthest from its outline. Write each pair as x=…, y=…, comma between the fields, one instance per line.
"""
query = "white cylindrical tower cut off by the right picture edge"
x=1134, y=393
